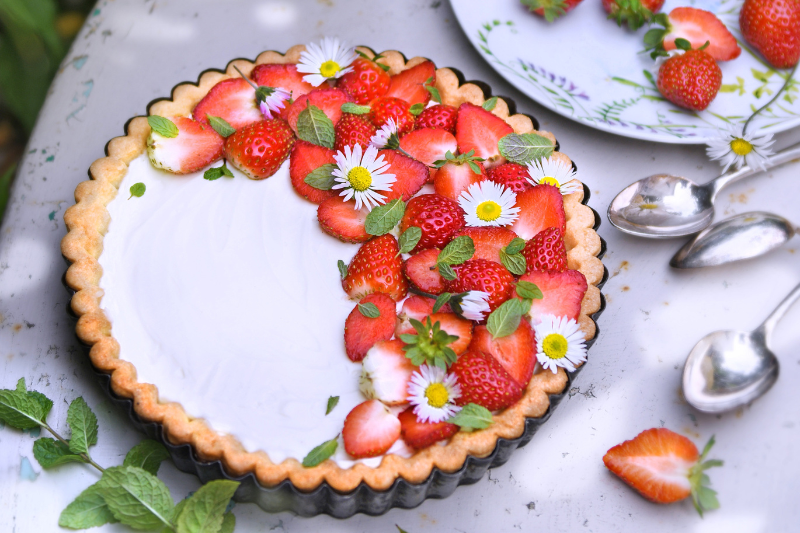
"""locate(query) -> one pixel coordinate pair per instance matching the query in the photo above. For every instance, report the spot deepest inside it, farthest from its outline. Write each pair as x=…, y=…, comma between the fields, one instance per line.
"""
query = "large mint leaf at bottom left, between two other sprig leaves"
x=136, y=497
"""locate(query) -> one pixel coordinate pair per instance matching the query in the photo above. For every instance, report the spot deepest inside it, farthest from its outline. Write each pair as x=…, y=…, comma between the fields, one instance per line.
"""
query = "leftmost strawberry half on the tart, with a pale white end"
x=196, y=146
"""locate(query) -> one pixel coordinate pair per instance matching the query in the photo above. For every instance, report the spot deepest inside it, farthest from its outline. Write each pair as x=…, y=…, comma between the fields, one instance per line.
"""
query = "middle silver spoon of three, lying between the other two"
x=740, y=237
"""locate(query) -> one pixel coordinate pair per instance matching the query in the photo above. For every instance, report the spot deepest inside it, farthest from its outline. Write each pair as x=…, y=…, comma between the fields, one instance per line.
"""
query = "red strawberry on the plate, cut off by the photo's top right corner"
x=773, y=28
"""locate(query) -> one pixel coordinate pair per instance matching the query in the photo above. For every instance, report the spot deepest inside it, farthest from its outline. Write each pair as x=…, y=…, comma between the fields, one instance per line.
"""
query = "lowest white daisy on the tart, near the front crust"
x=433, y=392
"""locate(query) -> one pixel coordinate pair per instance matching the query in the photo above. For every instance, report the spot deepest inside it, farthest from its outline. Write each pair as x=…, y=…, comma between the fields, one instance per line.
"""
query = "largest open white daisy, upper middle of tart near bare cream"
x=360, y=176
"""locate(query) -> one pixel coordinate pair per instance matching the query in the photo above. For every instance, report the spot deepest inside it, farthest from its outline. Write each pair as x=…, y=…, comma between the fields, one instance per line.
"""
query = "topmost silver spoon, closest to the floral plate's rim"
x=663, y=206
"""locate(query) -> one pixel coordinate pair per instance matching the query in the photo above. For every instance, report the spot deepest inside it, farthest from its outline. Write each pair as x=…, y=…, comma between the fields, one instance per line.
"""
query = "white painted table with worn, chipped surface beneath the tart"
x=132, y=51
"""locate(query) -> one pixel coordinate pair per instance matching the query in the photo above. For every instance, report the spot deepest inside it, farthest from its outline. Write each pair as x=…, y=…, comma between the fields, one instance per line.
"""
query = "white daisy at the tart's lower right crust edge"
x=559, y=343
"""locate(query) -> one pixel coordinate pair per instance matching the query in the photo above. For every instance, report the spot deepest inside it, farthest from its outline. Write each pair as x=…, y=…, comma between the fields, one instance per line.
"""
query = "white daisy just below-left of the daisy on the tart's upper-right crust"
x=487, y=203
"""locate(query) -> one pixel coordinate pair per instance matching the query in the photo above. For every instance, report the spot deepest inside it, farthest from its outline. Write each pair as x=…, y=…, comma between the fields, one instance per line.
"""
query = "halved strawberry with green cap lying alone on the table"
x=665, y=467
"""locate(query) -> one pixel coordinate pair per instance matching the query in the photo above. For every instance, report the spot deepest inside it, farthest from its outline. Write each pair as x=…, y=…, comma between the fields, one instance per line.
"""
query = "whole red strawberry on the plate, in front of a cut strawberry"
x=690, y=80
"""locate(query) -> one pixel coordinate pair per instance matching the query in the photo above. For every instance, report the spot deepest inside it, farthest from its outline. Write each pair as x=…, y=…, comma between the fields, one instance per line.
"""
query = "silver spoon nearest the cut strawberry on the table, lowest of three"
x=728, y=369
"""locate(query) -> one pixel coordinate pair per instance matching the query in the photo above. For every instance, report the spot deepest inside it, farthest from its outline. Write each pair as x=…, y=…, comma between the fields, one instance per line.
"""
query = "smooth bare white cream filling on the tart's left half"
x=226, y=295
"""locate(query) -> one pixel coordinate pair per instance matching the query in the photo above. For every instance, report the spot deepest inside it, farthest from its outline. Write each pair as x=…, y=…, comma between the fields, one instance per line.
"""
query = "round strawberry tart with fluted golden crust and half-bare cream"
x=334, y=268
